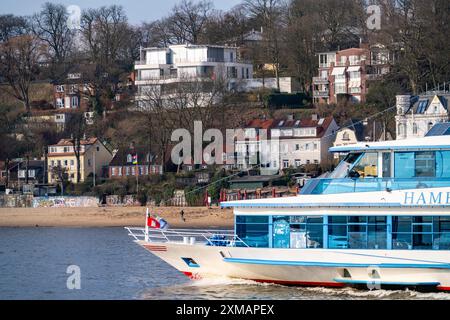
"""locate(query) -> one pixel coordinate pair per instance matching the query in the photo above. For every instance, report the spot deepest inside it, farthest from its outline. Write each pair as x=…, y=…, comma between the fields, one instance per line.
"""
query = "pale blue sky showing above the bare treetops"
x=137, y=10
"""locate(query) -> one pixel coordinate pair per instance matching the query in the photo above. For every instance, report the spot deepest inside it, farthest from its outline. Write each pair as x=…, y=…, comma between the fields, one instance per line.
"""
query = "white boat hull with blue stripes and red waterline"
x=372, y=269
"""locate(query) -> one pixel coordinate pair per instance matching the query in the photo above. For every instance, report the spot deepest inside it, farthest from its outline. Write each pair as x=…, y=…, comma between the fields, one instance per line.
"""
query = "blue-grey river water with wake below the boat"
x=105, y=264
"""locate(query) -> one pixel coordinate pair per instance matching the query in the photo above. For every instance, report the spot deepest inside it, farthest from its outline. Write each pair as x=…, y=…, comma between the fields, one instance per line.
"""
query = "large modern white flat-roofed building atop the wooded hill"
x=161, y=69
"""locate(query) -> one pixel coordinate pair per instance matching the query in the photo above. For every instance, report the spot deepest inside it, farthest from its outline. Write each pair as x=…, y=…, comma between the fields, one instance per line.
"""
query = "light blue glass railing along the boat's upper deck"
x=347, y=185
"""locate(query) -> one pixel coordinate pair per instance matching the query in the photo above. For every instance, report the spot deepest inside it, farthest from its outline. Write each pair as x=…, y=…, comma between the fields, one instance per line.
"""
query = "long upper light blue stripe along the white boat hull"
x=337, y=265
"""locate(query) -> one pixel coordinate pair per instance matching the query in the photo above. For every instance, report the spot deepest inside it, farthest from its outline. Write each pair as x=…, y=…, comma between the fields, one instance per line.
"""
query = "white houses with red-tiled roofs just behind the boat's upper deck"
x=294, y=143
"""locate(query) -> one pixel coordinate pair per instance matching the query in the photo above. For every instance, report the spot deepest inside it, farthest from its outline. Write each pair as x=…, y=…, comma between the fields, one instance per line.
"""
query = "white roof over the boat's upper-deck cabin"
x=434, y=142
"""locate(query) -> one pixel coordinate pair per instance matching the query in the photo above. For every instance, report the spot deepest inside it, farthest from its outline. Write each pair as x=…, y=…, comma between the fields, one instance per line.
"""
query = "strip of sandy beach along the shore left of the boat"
x=196, y=218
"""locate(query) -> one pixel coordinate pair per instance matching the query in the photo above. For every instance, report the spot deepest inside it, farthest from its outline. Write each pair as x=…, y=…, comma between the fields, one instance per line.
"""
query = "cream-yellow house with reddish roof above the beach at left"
x=94, y=157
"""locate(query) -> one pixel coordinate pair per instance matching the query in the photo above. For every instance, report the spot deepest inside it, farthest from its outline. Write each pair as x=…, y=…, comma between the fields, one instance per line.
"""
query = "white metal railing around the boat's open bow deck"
x=218, y=238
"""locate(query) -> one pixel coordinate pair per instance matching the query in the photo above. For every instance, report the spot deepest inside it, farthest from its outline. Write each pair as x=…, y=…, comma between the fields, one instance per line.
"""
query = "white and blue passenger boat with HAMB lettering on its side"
x=381, y=218
